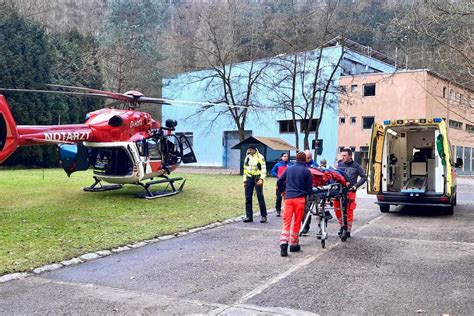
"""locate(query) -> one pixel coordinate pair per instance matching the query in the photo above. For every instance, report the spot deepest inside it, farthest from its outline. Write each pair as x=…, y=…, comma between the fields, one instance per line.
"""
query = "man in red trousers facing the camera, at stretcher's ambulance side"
x=354, y=171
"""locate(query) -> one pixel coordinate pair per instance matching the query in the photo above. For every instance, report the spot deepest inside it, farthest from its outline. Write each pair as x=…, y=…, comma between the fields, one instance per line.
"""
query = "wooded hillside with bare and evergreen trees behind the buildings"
x=132, y=44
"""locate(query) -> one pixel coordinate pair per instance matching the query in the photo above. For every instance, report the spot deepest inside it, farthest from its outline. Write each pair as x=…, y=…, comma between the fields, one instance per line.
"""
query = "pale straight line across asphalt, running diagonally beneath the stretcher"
x=298, y=266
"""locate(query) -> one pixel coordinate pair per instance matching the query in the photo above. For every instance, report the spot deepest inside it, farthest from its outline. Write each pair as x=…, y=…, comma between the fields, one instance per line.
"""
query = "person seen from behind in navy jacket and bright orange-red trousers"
x=298, y=185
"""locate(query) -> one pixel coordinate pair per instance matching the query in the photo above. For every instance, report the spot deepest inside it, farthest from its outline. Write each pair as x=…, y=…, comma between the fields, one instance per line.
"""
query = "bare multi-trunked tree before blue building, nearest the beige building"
x=306, y=80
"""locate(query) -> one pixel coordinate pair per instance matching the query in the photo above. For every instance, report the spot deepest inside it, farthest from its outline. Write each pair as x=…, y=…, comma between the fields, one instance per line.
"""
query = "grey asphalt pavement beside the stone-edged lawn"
x=408, y=261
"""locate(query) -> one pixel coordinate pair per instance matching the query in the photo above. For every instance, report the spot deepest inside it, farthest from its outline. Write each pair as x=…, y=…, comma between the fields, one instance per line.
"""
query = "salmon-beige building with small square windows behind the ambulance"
x=411, y=94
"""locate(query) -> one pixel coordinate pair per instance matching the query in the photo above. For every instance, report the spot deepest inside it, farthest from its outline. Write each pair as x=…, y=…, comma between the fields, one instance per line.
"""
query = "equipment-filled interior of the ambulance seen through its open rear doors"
x=411, y=161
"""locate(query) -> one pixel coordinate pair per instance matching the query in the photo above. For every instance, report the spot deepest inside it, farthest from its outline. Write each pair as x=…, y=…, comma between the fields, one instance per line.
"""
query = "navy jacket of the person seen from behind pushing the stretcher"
x=298, y=181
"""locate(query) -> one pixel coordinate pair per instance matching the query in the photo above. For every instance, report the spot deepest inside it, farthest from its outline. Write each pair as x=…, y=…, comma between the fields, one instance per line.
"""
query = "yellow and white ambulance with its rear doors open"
x=410, y=163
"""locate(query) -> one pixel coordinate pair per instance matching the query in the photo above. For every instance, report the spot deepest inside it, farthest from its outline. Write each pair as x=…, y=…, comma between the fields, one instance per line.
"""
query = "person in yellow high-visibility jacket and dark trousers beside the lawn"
x=254, y=175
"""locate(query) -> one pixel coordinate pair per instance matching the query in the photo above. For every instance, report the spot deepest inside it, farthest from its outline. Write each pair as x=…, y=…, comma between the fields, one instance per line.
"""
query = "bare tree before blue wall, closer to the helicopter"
x=227, y=33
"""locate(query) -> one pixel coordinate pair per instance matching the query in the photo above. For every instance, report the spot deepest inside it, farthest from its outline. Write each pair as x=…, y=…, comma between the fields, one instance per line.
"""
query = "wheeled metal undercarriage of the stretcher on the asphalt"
x=319, y=202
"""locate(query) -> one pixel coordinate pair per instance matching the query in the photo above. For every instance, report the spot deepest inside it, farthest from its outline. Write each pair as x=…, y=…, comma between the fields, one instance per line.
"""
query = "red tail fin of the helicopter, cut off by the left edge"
x=9, y=138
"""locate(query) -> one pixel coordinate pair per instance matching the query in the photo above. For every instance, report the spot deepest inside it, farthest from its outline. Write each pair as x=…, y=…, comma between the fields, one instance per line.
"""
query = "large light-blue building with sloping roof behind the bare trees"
x=214, y=132
